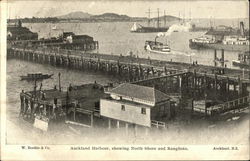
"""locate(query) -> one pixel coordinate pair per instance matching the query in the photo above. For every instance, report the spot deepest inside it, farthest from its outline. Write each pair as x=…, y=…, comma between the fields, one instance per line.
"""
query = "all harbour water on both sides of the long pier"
x=114, y=38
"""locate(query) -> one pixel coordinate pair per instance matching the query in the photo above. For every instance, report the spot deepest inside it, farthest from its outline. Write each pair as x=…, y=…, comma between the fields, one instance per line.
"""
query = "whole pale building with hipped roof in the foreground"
x=137, y=105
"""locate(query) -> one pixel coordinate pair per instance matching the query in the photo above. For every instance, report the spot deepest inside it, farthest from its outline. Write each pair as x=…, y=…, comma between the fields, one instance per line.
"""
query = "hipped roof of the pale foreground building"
x=140, y=92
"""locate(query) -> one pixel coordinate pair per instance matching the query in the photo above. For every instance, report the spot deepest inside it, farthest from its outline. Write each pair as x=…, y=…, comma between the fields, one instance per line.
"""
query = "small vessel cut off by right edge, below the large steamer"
x=243, y=60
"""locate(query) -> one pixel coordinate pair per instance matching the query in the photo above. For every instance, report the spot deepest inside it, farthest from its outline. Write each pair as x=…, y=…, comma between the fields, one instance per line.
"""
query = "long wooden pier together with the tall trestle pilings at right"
x=180, y=80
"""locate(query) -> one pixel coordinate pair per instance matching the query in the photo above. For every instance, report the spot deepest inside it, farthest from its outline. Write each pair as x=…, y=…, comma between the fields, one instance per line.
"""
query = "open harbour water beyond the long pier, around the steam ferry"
x=116, y=38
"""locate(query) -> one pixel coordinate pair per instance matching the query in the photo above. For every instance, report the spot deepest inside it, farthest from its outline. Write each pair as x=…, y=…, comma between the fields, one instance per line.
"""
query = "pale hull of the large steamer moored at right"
x=219, y=46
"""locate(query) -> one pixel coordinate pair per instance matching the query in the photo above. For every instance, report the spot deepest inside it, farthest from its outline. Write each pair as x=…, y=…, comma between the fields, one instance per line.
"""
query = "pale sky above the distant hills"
x=135, y=8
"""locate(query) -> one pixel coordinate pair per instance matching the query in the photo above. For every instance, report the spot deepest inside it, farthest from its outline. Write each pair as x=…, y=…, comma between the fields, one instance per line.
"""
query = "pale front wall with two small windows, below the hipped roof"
x=132, y=113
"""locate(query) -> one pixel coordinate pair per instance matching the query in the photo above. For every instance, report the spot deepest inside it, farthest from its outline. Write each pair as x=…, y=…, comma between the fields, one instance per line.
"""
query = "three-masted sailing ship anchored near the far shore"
x=142, y=29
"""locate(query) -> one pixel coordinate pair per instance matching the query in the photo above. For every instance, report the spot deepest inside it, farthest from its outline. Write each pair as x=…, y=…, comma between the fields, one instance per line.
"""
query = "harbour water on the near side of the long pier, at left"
x=16, y=126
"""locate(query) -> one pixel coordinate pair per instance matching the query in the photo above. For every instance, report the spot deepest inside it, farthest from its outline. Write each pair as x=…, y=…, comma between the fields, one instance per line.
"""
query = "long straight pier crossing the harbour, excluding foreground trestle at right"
x=135, y=68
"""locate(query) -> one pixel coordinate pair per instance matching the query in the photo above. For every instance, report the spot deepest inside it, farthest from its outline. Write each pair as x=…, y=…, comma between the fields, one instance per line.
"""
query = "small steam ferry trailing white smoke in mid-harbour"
x=157, y=47
